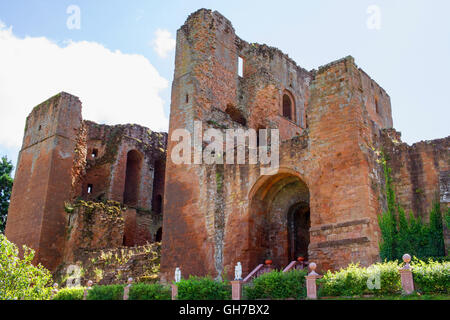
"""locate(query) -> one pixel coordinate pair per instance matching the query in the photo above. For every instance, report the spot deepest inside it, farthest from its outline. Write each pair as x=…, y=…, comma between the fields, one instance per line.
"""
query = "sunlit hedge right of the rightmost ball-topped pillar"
x=431, y=277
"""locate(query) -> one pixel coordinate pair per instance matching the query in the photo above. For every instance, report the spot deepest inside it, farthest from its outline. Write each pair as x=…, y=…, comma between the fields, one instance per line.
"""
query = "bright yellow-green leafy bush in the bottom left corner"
x=19, y=278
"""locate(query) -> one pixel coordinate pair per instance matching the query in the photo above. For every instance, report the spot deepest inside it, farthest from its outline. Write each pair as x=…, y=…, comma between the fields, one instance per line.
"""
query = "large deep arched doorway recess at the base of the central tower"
x=279, y=220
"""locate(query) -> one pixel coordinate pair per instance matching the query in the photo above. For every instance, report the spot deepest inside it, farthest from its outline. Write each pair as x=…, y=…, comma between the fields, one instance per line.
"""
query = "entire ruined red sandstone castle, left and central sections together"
x=322, y=203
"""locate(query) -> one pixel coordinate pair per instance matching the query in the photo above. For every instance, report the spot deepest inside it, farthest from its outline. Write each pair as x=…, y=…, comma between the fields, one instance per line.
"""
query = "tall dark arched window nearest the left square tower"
x=132, y=178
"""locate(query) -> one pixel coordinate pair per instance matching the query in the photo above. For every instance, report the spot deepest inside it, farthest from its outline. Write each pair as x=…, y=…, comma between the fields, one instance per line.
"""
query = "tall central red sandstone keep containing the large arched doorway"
x=328, y=192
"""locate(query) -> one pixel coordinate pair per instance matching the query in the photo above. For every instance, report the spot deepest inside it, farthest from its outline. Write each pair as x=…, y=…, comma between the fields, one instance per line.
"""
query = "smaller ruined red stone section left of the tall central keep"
x=65, y=159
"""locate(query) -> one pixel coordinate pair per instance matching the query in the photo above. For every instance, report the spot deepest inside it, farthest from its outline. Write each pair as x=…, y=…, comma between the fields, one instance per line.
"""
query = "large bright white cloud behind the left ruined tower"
x=113, y=87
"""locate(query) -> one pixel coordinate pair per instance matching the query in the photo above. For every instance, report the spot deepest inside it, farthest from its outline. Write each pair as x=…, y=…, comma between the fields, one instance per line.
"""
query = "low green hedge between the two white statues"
x=196, y=288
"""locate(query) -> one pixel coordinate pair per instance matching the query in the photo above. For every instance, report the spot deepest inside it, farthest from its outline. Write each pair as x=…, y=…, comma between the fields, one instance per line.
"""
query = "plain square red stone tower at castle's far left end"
x=43, y=178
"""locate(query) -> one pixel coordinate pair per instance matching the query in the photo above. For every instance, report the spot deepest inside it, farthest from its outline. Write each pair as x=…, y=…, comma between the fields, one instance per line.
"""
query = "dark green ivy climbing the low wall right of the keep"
x=400, y=235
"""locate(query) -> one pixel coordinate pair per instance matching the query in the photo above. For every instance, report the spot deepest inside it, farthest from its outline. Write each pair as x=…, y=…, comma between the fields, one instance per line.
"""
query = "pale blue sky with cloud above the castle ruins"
x=408, y=56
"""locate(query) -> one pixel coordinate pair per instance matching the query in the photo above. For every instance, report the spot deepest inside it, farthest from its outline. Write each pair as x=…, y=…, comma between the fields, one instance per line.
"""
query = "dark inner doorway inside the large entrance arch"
x=298, y=231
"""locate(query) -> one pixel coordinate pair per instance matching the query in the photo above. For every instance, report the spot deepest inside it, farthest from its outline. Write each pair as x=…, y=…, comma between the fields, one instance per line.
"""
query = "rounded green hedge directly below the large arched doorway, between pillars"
x=277, y=285
